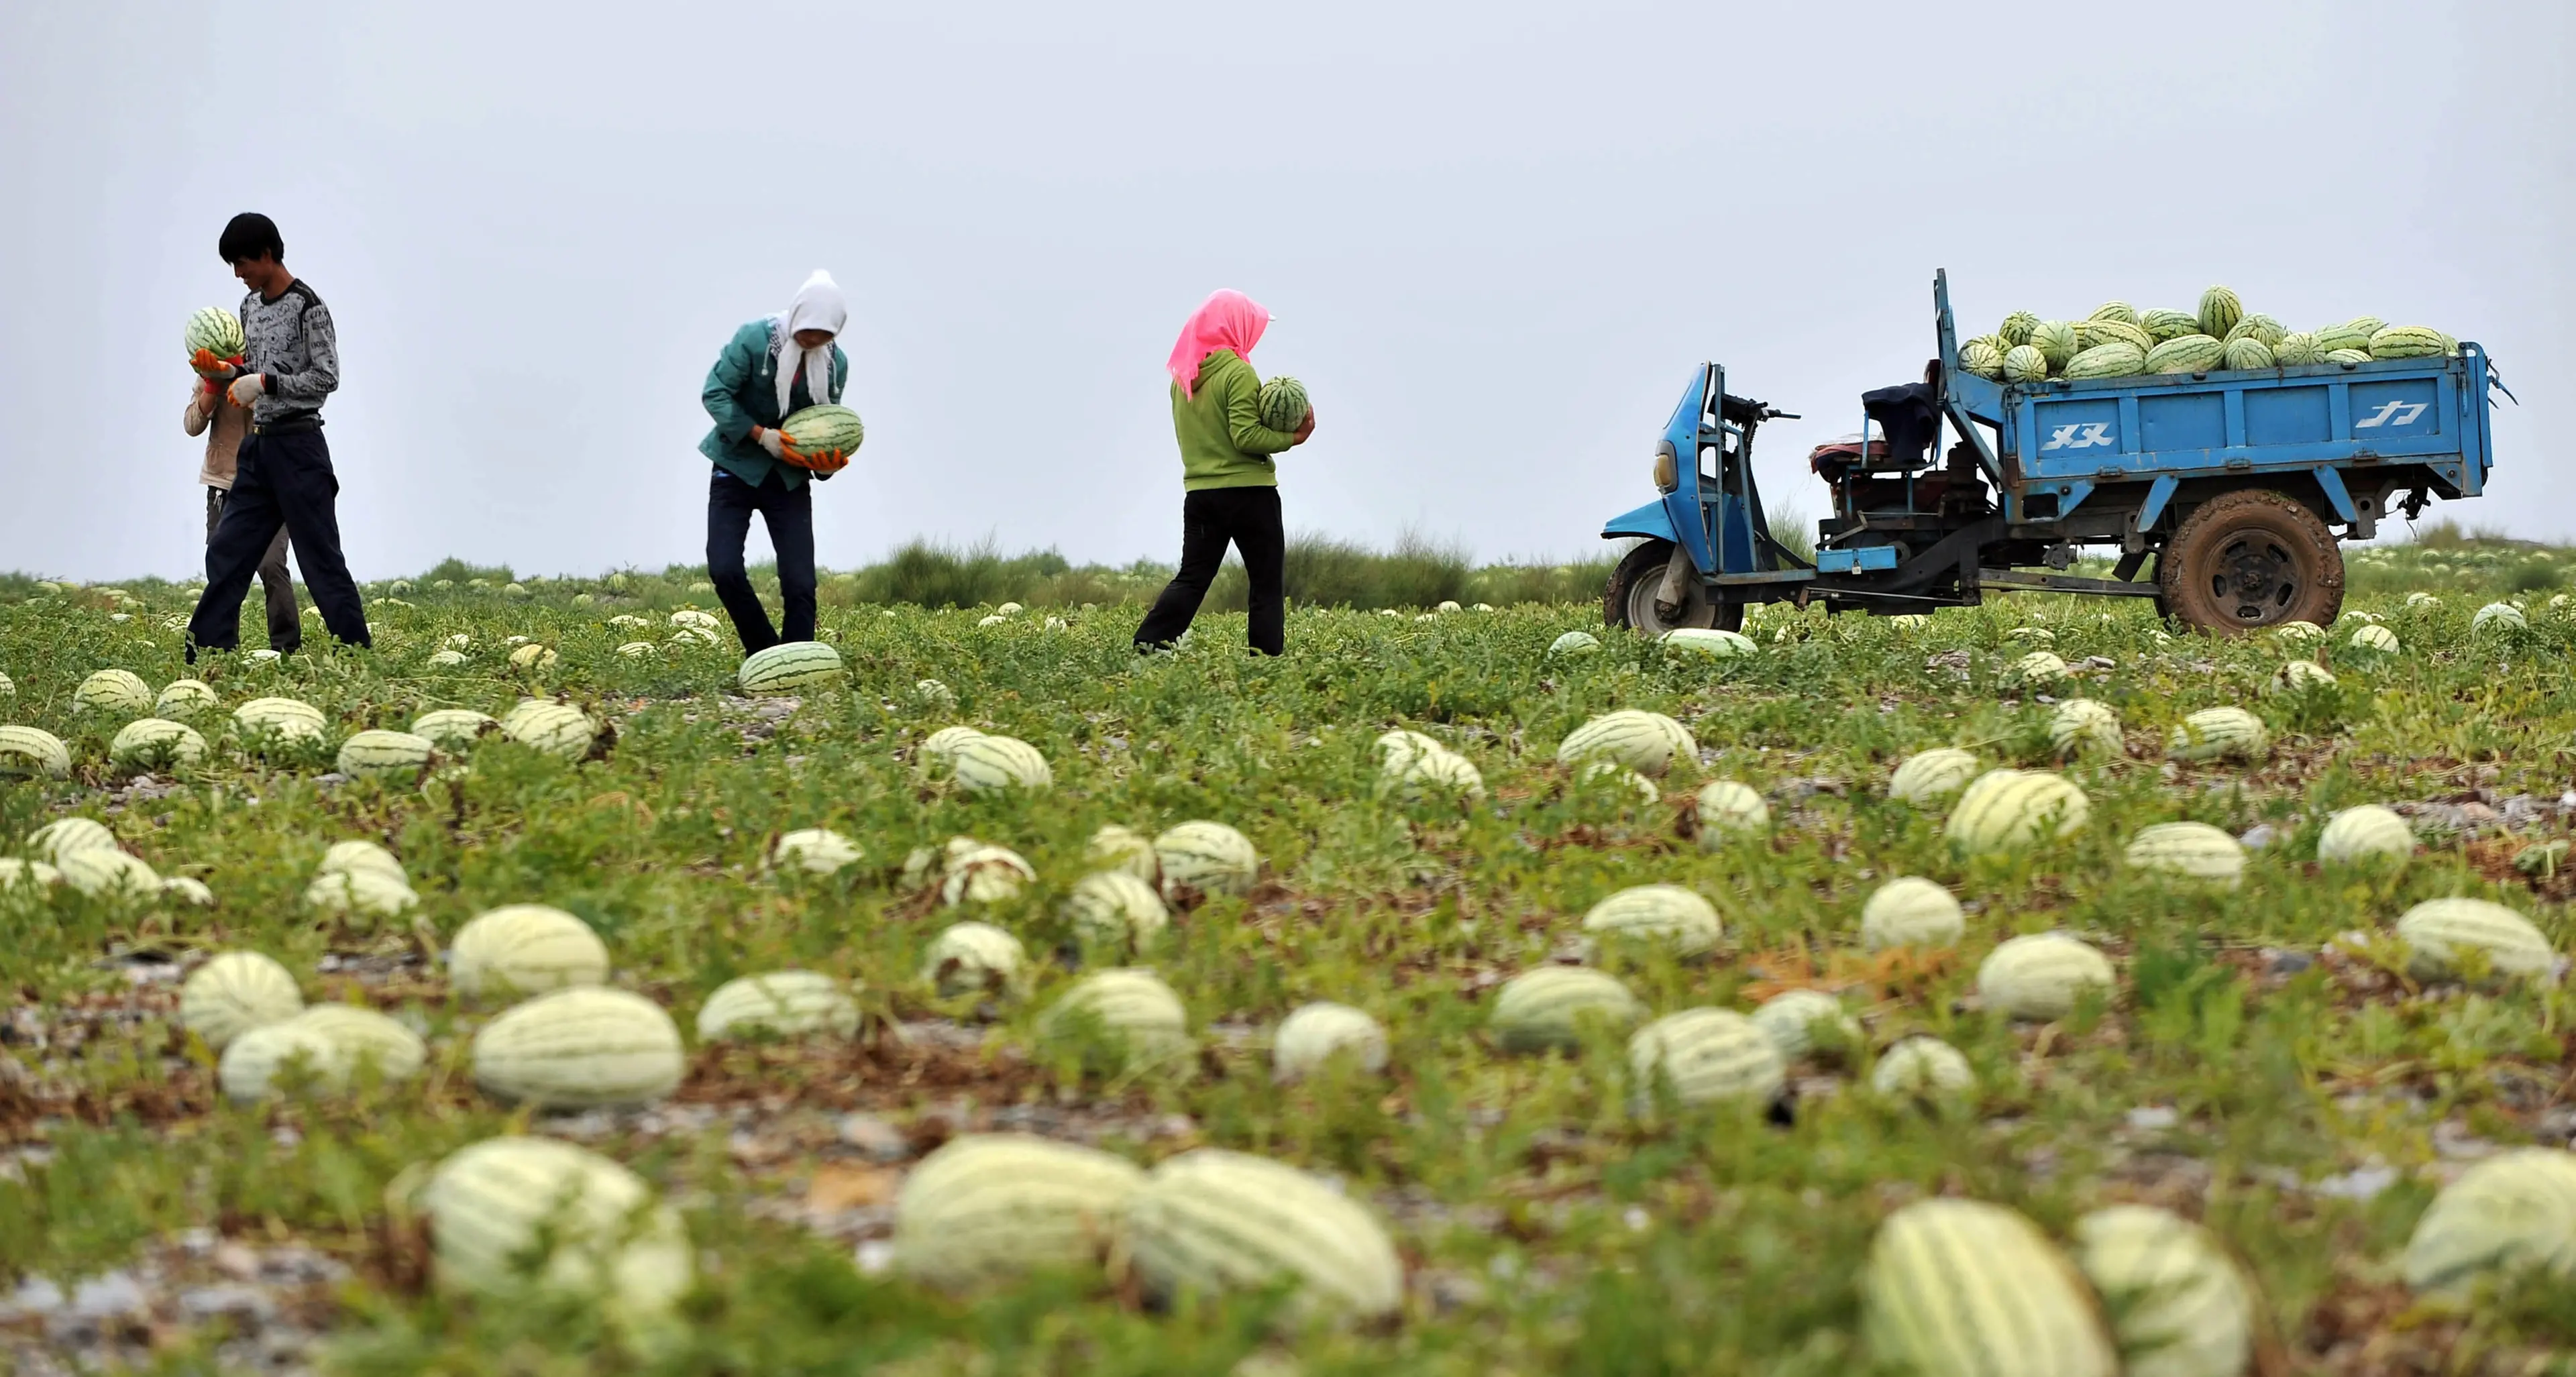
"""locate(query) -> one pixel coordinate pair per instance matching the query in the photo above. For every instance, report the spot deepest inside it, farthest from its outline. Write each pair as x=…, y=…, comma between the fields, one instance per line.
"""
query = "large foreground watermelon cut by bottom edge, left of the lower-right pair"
x=1959, y=1288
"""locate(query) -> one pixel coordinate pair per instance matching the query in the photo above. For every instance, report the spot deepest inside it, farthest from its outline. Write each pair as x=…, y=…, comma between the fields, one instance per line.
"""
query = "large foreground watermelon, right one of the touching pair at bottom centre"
x=1215, y=1221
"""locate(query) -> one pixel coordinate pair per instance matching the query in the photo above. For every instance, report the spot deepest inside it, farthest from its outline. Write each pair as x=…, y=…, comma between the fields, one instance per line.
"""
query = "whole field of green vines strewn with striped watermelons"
x=1086, y=1136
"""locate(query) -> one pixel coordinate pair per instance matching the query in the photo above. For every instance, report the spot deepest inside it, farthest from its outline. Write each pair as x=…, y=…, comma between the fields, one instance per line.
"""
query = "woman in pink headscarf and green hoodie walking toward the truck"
x=1227, y=475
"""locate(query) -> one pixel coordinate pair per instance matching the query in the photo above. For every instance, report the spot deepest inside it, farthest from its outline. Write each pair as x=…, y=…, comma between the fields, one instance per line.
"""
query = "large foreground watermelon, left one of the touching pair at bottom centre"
x=993, y=1206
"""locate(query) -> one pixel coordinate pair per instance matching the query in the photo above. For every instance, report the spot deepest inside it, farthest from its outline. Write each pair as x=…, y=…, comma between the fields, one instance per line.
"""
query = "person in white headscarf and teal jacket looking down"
x=764, y=377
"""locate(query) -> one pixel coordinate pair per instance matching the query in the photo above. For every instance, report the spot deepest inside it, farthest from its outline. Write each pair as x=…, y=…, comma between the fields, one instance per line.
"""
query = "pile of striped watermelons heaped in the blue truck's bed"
x=2121, y=341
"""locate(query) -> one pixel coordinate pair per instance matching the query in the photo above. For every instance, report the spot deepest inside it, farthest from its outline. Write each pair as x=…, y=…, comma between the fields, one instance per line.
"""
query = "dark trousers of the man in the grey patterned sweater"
x=277, y=483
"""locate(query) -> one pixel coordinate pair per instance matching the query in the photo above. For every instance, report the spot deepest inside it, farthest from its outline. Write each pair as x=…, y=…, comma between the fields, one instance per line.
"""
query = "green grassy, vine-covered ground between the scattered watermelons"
x=2266, y=1067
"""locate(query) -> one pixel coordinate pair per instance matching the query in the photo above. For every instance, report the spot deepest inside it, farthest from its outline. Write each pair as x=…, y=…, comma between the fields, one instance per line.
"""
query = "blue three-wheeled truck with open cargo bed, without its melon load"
x=2232, y=483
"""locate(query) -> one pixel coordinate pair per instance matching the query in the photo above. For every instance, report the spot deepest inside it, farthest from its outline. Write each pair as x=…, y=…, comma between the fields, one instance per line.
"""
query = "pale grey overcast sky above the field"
x=1498, y=241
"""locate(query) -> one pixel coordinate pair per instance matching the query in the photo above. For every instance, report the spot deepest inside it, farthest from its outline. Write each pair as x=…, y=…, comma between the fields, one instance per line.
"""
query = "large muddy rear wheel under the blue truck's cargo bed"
x=2253, y=560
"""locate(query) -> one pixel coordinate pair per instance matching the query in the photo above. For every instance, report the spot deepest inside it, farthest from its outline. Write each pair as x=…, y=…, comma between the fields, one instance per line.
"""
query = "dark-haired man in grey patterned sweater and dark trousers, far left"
x=282, y=475
